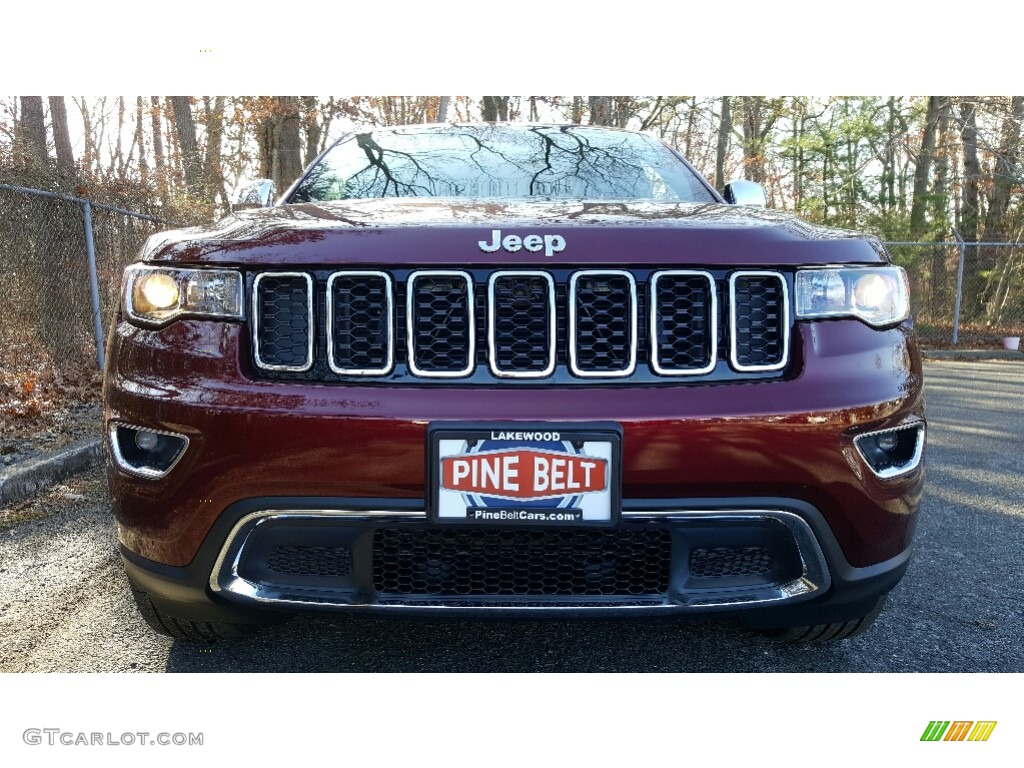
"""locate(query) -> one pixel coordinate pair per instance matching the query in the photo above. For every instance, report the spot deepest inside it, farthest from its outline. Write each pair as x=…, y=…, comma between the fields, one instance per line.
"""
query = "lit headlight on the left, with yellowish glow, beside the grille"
x=157, y=295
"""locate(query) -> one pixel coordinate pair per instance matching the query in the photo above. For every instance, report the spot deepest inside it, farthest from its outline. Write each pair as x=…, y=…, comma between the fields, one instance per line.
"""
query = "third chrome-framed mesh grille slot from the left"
x=442, y=323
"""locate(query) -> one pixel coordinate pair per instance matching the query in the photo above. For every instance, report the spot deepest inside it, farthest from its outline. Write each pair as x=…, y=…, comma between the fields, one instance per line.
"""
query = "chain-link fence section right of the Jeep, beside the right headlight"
x=964, y=294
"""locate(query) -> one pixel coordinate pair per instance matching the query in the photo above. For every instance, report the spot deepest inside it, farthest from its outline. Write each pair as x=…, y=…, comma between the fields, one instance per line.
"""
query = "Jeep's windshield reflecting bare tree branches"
x=508, y=162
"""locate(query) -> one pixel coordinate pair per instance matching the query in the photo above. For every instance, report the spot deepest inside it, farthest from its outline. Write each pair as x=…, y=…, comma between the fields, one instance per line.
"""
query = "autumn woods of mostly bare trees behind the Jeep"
x=922, y=169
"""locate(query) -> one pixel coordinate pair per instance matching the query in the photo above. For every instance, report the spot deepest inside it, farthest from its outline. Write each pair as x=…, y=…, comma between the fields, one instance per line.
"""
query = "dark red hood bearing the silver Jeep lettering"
x=458, y=232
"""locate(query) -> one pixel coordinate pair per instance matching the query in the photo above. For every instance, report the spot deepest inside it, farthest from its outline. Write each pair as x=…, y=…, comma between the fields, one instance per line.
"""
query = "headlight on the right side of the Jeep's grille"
x=877, y=295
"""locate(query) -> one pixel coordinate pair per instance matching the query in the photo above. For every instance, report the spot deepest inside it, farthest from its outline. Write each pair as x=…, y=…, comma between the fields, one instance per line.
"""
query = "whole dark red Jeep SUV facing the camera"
x=530, y=370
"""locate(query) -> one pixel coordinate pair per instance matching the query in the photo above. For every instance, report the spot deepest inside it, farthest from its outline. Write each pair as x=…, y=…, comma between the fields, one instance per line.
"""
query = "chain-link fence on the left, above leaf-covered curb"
x=62, y=258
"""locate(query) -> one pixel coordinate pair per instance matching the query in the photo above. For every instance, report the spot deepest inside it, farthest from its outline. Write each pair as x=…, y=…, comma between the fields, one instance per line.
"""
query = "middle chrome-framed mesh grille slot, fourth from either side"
x=522, y=324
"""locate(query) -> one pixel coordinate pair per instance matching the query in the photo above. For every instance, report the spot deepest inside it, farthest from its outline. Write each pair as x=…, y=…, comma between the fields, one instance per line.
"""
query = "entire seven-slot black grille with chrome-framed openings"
x=521, y=324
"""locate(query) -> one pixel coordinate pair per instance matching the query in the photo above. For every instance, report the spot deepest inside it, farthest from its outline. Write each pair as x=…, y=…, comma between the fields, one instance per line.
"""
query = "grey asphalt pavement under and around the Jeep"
x=65, y=606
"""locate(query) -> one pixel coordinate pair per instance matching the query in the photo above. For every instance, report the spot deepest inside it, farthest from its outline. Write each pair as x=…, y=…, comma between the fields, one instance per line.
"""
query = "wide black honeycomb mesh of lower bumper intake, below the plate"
x=525, y=562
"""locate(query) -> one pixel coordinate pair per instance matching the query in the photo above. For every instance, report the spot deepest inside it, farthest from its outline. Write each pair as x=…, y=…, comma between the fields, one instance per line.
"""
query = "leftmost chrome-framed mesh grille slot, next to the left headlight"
x=283, y=333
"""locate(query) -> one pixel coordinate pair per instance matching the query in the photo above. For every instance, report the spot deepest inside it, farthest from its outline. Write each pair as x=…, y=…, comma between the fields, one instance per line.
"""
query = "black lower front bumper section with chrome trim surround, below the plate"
x=790, y=563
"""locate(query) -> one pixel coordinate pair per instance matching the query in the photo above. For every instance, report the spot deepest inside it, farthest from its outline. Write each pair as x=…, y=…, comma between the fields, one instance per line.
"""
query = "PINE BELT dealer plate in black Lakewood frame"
x=535, y=475
